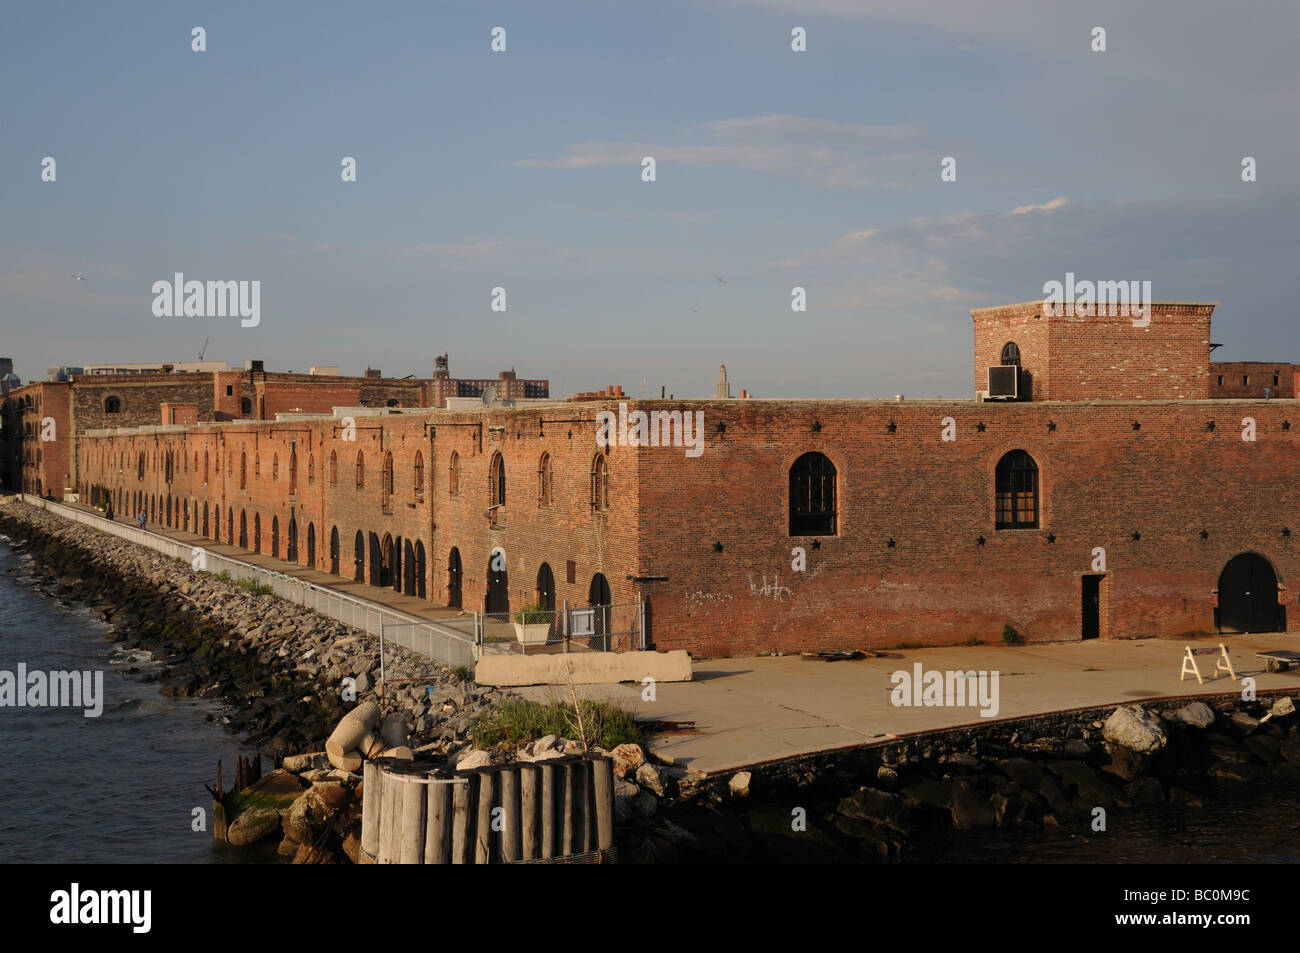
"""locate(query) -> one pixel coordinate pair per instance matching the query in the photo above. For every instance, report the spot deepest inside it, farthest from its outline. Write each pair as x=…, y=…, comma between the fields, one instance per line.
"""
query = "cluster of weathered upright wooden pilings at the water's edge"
x=558, y=811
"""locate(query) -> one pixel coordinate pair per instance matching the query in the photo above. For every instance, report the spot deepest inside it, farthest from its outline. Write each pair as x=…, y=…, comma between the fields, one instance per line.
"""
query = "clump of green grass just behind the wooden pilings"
x=517, y=721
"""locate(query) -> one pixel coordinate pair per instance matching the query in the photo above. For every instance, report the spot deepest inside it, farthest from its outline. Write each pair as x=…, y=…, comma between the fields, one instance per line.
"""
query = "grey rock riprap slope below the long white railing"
x=278, y=668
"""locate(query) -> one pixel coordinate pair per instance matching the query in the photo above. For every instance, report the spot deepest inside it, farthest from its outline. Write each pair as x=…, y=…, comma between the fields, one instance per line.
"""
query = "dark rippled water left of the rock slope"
x=116, y=789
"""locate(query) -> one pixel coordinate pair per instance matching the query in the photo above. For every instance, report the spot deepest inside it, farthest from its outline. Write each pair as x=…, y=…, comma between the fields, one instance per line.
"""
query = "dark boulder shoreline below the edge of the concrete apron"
x=895, y=803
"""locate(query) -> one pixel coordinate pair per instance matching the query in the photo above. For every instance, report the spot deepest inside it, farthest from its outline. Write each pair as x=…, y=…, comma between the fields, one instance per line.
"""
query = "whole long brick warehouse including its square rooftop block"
x=1119, y=497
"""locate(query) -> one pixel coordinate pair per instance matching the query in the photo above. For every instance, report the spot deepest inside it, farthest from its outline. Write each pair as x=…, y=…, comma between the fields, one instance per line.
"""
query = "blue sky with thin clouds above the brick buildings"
x=522, y=170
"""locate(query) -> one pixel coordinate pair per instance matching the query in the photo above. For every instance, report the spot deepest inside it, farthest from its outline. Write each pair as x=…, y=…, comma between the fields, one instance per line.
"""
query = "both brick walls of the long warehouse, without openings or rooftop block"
x=1100, y=483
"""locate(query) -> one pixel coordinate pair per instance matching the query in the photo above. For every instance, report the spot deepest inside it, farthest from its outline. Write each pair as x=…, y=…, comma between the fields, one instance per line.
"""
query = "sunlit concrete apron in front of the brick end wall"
x=755, y=711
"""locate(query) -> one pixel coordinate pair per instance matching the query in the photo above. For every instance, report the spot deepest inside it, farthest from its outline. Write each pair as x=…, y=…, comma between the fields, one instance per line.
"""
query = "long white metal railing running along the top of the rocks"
x=422, y=636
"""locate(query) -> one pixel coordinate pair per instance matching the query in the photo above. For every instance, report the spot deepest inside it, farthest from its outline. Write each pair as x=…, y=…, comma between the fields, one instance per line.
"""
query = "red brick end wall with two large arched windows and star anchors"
x=1102, y=482
